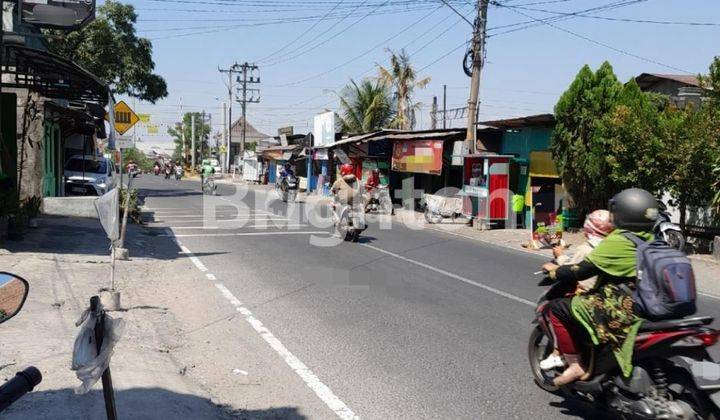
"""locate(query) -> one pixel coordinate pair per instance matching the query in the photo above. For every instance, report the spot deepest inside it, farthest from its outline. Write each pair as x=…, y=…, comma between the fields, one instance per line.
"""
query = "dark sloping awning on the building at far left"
x=50, y=75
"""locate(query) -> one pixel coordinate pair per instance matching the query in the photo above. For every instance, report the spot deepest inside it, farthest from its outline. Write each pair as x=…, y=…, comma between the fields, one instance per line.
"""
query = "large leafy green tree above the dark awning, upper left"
x=110, y=49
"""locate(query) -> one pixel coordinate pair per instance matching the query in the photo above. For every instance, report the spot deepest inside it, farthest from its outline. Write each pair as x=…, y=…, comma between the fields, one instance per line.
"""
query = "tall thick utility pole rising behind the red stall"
x=478, y=56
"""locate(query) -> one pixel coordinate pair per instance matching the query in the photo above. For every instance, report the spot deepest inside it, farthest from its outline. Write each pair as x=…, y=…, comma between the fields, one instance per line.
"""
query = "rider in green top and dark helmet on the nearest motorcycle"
x=607, y=313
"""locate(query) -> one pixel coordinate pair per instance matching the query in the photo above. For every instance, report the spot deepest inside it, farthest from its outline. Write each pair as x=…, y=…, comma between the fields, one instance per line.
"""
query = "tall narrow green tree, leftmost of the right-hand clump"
x=576, y=145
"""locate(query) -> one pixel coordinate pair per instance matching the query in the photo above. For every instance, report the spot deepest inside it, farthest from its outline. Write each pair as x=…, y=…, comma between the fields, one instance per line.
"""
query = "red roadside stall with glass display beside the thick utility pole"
x=486, y=192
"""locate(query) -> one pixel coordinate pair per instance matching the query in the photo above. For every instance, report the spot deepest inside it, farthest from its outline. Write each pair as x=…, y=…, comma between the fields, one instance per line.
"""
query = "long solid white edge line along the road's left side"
x=323, y=392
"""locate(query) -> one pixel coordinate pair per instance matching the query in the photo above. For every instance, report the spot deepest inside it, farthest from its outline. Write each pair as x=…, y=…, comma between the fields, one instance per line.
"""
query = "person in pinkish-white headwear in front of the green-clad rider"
x=596, y=227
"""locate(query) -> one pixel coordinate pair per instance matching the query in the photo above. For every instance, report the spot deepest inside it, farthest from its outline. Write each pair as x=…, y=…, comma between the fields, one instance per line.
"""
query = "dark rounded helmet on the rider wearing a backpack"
x=634, y=209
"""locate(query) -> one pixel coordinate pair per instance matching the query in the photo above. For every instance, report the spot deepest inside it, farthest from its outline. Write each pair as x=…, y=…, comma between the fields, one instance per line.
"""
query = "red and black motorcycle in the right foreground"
x=673, y=376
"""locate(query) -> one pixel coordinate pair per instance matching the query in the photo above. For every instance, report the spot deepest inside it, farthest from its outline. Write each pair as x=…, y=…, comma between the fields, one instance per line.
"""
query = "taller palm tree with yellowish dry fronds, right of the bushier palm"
x=402, y=77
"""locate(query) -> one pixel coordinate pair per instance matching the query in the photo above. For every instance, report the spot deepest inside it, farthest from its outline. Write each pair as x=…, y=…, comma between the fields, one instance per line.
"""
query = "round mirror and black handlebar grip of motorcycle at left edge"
x=13, y=293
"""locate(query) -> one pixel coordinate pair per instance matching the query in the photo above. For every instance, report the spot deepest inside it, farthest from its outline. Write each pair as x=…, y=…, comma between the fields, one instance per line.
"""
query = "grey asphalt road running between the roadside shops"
x=406, y=324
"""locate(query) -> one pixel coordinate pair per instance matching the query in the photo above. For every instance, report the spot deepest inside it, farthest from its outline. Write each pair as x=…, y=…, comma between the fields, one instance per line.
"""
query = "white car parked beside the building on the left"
x=89, y=175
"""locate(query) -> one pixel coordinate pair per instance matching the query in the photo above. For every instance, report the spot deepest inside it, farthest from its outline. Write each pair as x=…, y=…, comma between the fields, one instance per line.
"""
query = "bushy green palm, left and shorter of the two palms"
x=365, y=107
